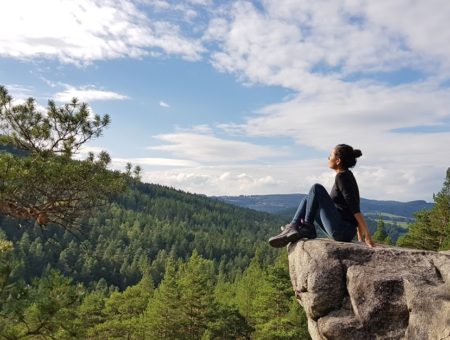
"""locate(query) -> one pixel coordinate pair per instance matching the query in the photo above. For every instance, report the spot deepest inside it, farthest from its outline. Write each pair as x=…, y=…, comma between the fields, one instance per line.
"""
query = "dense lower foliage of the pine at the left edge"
x=60, y=187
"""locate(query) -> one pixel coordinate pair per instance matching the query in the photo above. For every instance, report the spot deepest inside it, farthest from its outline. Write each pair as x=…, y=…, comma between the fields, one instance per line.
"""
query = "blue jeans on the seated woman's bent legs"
x=318, y=207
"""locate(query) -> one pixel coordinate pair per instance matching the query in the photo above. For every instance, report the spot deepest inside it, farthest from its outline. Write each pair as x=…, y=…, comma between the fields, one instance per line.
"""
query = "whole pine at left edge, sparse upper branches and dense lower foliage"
x=42, y=182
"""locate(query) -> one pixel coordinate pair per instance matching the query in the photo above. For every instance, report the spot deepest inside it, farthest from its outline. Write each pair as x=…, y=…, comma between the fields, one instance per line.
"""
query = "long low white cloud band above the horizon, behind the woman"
x=375, y=182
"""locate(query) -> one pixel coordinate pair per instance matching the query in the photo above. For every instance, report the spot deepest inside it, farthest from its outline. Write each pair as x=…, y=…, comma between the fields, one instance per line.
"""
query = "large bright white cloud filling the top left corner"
x=85, y=31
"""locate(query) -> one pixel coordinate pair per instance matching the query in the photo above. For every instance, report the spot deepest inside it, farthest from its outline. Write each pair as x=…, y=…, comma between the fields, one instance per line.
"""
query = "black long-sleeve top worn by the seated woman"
x=345, y=195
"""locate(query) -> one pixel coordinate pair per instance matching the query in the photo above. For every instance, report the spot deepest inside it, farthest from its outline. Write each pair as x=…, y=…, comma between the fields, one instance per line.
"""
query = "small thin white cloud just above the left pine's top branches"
x=87, y=94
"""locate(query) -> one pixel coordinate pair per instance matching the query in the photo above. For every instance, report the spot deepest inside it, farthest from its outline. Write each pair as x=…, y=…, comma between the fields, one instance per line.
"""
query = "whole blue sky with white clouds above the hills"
x=247, y=97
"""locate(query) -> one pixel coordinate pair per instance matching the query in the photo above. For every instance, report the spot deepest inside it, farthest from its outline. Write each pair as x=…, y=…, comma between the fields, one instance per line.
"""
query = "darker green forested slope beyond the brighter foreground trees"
x=140, y=229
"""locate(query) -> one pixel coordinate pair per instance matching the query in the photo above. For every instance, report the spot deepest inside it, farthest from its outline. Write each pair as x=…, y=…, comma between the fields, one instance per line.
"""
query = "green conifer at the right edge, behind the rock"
x=431, y=231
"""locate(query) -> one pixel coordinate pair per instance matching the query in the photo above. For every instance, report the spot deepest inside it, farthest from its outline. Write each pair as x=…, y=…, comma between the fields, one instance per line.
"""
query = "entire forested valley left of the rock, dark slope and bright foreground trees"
x=152, y=251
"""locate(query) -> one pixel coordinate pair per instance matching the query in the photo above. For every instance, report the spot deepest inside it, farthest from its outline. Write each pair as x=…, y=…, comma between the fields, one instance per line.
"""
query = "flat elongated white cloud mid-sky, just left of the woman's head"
x=211, y=149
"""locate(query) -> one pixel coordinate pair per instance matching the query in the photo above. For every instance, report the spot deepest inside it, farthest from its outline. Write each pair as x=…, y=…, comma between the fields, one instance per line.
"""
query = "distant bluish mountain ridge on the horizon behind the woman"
x=280, y=203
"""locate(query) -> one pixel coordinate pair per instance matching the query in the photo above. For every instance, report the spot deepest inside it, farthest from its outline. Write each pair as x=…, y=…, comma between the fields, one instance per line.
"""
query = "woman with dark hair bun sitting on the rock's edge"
x=337, y=214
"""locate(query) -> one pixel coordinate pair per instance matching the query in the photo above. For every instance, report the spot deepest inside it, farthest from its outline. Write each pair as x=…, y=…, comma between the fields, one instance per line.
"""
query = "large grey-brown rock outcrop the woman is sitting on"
x=351, y=291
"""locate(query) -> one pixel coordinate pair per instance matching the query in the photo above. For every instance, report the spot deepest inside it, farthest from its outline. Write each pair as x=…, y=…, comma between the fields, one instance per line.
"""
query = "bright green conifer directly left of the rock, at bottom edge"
x=263, y=295
